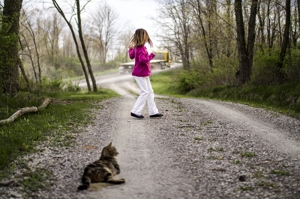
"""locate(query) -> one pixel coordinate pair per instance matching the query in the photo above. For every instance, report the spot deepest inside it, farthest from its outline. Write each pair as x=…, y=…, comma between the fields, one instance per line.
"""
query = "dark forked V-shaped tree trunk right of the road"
x=245, y=50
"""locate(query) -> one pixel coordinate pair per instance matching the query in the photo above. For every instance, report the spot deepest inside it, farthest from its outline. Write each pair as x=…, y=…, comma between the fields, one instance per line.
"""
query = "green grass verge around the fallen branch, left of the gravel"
x=67, y=112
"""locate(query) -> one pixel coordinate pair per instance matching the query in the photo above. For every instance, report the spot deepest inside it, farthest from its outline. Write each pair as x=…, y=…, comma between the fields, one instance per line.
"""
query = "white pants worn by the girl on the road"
x=146, y=94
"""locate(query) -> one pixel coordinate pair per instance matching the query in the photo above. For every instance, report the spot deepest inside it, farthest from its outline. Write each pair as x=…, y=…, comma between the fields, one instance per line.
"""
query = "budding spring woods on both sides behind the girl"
x=220, y=43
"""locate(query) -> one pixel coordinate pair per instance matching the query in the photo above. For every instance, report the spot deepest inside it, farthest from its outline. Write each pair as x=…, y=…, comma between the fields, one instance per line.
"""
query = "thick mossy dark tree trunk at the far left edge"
x=9, y=73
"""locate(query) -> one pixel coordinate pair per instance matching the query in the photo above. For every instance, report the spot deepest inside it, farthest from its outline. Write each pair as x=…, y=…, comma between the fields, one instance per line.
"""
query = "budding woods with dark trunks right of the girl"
x=232, y=42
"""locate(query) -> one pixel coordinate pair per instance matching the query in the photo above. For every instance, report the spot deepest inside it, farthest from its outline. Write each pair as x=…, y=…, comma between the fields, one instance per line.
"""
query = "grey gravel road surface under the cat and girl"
x=199, y=149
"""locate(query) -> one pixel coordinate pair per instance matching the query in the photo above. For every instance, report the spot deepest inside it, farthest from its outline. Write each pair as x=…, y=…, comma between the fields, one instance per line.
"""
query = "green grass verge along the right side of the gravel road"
x=283, y=98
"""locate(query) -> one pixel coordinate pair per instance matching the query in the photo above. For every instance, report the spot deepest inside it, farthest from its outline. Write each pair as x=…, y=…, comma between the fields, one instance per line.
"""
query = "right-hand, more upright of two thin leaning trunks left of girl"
x=84, y=47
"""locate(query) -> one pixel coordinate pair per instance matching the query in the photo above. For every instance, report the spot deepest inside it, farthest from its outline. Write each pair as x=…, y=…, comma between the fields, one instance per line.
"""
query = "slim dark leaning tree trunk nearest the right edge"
x=285, y=42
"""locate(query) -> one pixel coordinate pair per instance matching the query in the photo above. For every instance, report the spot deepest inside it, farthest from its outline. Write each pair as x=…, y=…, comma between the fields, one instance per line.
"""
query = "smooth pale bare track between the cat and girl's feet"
x=145, y=165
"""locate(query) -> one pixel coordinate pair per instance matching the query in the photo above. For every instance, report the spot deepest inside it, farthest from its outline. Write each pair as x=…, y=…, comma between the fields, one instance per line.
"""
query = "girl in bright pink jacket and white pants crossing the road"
x=141, y=73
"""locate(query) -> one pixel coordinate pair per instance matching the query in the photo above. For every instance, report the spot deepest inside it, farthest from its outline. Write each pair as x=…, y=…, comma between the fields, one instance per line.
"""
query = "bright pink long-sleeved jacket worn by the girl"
x=142, y=67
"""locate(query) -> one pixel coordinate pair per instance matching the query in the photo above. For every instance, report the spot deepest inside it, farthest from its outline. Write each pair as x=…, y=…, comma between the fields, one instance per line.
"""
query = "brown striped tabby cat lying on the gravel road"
x=102, y=170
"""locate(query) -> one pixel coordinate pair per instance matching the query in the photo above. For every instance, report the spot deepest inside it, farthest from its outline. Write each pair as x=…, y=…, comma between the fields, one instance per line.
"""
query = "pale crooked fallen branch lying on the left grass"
x=25, y=110
